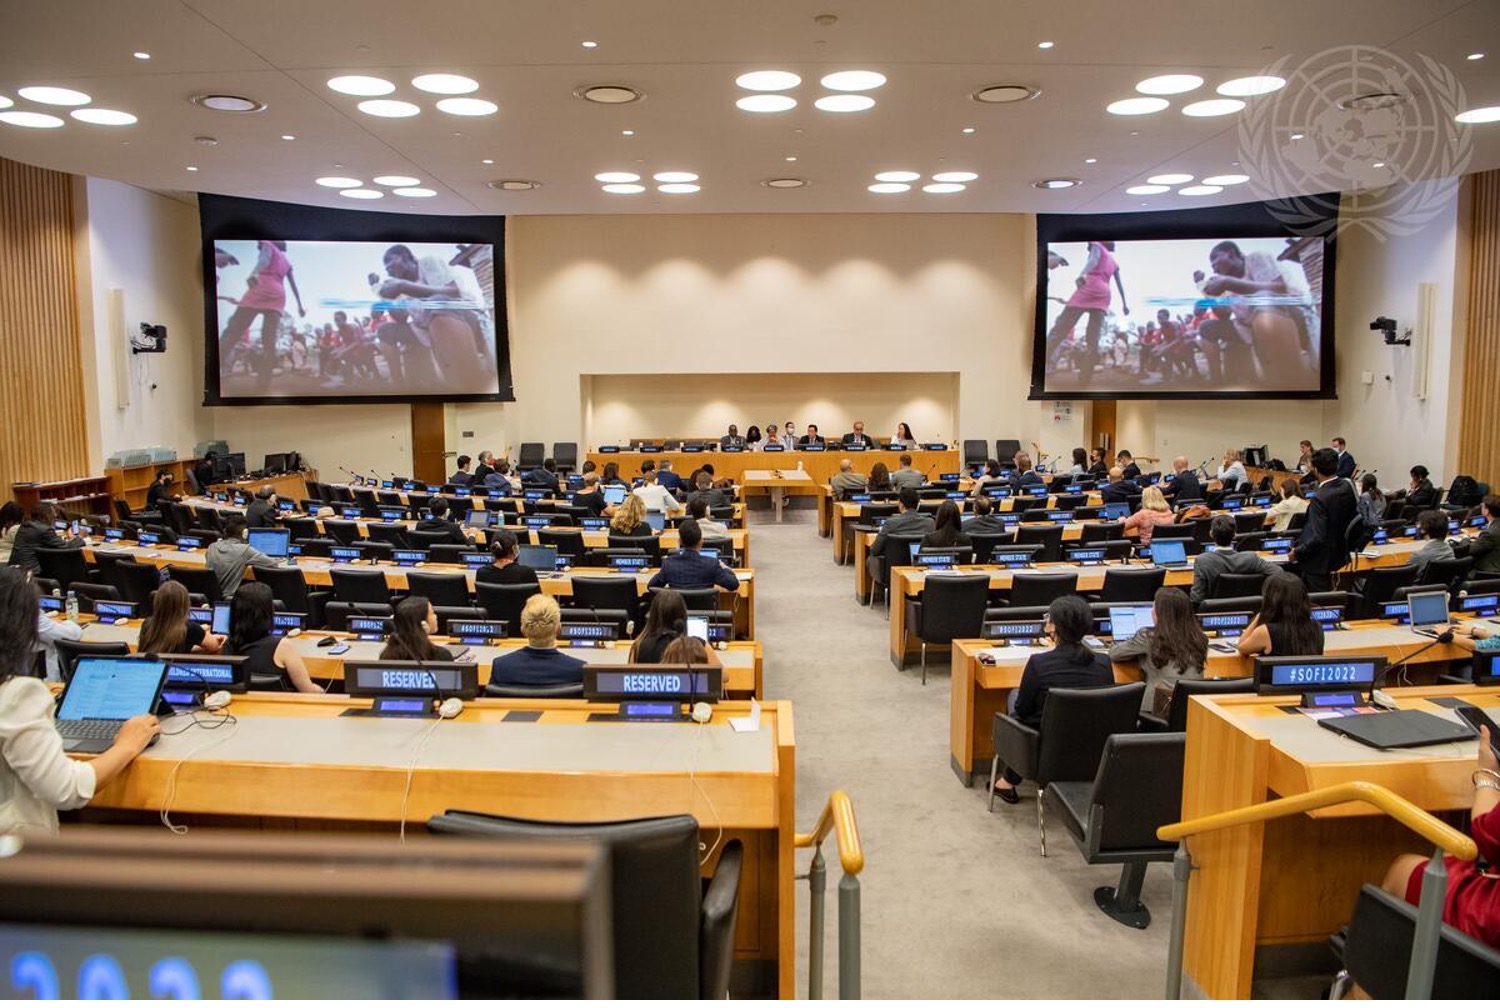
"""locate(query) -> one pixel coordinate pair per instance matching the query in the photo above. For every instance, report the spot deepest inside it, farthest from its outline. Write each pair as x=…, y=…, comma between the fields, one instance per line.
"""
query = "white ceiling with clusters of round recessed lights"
x=685, y=58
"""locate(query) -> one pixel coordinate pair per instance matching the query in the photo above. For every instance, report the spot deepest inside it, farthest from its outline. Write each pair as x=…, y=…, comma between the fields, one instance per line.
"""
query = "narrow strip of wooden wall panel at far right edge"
x=1480, y=424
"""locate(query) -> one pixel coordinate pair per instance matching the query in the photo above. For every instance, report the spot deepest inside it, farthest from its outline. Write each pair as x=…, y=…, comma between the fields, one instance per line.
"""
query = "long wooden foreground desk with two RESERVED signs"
x=293, y=763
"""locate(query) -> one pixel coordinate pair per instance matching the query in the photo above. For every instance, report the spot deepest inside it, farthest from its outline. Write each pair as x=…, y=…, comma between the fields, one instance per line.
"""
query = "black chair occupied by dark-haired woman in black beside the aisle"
x=1070, y=743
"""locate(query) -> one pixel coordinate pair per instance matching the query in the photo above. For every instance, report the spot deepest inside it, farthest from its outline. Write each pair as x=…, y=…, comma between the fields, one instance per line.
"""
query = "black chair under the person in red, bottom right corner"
x=1378, y=955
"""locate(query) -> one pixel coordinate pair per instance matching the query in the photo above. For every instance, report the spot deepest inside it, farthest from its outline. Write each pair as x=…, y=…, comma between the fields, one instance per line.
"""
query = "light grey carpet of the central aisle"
x=956, y=902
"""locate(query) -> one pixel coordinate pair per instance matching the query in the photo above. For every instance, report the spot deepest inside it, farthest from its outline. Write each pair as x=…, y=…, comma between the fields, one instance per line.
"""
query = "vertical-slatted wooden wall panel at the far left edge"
x=43, y=430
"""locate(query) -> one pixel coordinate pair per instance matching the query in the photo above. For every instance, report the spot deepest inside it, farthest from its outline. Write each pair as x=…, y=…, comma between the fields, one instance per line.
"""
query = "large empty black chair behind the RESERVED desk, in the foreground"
x=673, y=932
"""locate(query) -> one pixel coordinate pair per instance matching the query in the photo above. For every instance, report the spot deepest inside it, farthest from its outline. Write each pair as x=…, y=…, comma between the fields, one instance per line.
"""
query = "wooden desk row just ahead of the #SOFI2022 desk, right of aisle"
x=979, y=691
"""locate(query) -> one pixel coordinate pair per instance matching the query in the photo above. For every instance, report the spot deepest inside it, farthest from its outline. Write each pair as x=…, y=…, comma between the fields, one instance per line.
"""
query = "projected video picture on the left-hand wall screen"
x=355, y=319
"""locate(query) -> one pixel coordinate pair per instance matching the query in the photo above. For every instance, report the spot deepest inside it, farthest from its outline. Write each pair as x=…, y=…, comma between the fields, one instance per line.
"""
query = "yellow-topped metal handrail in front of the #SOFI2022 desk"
x=1435, y=877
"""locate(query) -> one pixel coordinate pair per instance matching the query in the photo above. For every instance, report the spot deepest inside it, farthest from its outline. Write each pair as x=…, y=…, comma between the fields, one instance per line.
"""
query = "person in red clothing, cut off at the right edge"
x=1472, y=902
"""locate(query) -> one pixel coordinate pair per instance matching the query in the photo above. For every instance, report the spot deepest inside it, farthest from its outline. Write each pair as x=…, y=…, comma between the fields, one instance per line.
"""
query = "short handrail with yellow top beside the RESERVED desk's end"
x=838, y=818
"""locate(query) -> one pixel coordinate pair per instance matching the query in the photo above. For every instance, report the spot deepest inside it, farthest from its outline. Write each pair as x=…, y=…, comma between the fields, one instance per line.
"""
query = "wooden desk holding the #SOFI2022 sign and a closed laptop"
x=1295, y=881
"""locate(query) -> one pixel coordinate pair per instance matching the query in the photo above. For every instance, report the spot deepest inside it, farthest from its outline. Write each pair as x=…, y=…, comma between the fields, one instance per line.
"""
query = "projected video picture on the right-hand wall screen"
x=1184, y=316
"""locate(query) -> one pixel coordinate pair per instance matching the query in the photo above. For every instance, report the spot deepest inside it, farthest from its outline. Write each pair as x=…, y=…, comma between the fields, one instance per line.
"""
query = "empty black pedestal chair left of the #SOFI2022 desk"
x=1115, y=817
